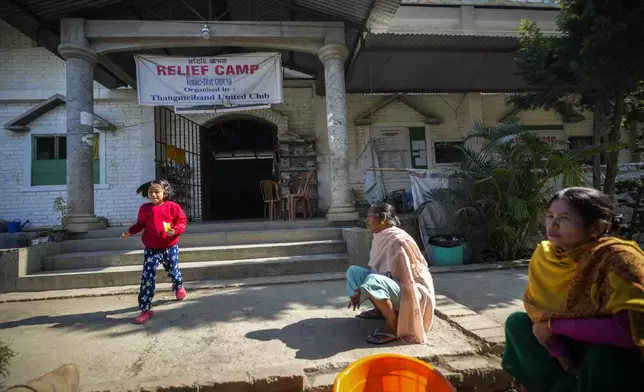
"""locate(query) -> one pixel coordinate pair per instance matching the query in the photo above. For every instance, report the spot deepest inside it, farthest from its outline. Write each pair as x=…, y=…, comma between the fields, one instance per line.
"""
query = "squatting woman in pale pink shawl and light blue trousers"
x=398, y=284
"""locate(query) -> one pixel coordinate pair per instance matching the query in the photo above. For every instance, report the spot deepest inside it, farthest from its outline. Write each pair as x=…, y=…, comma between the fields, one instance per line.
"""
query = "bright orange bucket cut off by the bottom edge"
x=391, y=373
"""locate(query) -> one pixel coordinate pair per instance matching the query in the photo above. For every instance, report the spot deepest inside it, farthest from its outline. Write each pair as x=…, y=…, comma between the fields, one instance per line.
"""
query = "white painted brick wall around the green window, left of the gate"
x=29, y=74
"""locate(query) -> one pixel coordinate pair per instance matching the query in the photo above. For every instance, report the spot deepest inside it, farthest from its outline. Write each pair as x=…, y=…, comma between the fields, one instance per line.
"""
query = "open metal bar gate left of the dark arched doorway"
x=177, y=159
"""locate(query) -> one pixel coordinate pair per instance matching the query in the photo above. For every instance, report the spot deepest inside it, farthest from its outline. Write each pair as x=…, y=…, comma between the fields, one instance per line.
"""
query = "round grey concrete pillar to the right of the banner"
x=333, y=57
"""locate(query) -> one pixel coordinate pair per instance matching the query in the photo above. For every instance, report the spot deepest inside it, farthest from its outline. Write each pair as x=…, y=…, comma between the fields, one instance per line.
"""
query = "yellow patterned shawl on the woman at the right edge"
x=600, y=278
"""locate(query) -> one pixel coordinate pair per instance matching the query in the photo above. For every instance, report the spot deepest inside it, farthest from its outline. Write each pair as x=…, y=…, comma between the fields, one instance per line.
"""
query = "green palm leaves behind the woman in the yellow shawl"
x=502, y=188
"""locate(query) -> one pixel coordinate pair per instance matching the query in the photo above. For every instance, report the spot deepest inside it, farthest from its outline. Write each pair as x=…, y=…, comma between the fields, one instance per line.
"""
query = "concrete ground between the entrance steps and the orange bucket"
x=213, y=331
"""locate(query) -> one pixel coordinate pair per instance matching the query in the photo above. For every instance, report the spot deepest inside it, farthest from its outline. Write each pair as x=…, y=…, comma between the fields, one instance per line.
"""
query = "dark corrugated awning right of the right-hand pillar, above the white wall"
x=433, y=64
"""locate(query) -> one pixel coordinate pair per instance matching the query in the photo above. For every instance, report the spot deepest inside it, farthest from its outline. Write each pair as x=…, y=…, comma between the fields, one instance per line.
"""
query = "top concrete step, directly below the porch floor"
x=208, y=239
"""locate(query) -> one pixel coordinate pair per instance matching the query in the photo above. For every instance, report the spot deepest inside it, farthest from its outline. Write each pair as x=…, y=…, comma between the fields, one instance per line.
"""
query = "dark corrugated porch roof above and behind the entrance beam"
x=41, y=18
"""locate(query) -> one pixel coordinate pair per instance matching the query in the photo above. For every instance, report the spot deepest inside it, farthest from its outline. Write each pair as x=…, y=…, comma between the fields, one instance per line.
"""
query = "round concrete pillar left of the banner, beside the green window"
x=80, y=61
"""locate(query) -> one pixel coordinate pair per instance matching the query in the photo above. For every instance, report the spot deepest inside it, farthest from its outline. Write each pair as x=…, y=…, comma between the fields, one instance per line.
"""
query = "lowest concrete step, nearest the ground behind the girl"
x=191, y=271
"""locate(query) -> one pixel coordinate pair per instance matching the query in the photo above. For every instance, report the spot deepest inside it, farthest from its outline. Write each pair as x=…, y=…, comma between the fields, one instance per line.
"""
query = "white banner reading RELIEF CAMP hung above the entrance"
x=240, y=79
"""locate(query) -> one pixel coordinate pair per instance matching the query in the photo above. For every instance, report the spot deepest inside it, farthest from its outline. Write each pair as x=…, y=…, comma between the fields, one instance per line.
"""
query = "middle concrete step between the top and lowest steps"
x=66, y=261
